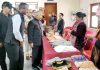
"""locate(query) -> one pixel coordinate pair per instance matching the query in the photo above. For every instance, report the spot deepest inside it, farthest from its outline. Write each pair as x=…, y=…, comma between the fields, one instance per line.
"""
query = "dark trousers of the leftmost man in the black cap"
x=2, y=58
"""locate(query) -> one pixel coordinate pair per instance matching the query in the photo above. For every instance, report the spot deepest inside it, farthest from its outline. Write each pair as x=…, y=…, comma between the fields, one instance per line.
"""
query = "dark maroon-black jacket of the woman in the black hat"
x=80, y=34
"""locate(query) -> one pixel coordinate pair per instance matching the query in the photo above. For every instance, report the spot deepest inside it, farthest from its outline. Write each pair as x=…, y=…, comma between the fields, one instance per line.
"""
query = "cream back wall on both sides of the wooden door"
x=64, y=6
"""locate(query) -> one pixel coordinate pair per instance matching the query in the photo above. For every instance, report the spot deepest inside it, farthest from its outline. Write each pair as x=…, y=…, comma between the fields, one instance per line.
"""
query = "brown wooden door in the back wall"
x=50, y=8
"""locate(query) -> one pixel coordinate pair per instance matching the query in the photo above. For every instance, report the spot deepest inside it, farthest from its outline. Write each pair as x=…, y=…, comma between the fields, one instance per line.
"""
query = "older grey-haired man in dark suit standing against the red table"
x=35, y=39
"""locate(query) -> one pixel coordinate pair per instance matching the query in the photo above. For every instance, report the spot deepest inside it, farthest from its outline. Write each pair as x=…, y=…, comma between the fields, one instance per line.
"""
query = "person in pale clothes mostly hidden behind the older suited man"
x=27, y=48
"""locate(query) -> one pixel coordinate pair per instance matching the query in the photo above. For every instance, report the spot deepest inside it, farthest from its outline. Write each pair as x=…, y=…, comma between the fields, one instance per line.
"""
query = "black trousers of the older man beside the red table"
x=36, y=55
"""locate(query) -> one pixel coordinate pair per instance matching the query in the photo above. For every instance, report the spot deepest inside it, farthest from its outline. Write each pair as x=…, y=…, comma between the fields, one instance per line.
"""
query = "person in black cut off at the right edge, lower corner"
x=95, y=57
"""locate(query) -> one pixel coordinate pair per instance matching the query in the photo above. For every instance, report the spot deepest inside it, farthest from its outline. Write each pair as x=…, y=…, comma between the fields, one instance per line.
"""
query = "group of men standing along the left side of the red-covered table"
x=12, y=31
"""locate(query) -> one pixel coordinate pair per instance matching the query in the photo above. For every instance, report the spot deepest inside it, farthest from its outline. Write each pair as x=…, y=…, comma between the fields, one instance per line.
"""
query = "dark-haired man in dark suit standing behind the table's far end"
x=60, y=27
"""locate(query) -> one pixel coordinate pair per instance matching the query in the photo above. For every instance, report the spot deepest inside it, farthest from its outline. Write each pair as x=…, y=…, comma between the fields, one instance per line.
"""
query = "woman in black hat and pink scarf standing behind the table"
x=78, y=31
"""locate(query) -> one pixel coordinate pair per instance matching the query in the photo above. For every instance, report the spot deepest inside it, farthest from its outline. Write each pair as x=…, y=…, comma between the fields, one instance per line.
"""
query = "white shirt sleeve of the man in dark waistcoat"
x=16, y=19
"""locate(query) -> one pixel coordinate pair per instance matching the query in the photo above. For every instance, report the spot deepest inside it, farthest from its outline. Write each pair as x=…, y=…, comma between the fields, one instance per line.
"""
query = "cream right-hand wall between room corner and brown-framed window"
x=85, y=6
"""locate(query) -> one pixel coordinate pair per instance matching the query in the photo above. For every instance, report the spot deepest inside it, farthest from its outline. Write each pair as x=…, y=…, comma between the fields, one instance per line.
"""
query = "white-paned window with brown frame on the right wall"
x=94, y=19
